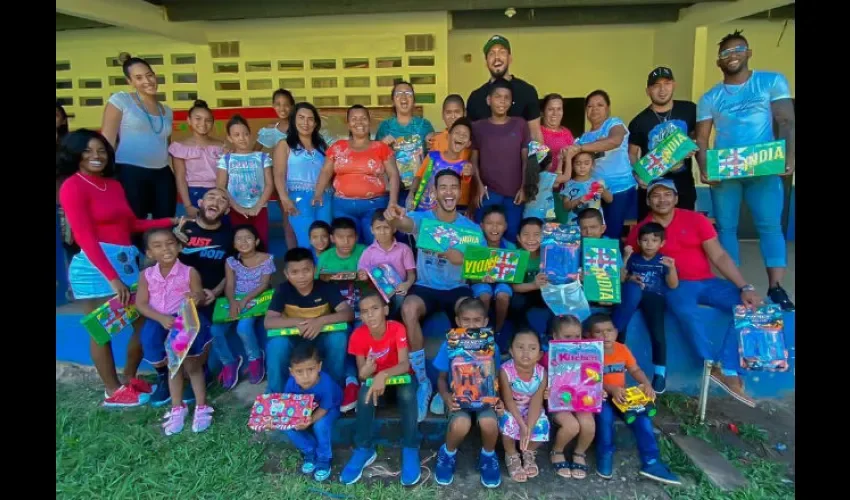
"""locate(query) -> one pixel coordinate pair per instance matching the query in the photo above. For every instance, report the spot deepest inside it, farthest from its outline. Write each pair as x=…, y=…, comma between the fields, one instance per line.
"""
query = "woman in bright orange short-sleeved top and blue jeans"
x=361, y=169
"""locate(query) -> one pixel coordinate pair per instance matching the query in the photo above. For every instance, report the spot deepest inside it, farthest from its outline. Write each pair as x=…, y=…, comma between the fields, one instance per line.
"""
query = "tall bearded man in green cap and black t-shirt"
x=497, y=52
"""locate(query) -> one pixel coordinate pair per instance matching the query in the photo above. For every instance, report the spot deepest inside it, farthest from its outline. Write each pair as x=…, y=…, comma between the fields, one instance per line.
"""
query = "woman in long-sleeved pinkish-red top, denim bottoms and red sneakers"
x=101, y=222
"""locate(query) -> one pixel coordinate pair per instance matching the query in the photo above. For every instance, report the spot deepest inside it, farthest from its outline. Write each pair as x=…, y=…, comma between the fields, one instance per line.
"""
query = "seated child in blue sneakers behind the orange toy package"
x=471, y=313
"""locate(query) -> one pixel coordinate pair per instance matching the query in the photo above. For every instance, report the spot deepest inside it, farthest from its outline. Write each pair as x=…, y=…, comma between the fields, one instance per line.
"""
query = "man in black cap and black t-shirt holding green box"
x=656, y=122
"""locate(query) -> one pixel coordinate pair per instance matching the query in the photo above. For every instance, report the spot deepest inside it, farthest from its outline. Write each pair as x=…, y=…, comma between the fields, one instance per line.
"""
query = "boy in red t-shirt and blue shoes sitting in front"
x=381, y=351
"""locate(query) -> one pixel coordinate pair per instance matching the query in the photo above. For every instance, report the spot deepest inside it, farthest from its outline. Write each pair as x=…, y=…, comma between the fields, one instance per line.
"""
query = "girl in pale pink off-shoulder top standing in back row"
x=195, y=158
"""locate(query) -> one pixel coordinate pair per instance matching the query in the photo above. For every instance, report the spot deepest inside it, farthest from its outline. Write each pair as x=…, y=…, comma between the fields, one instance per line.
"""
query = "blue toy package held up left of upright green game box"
x=560, y=253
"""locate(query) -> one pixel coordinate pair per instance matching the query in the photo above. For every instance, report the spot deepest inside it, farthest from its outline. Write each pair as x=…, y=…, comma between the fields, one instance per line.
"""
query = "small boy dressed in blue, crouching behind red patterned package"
x=313, y=439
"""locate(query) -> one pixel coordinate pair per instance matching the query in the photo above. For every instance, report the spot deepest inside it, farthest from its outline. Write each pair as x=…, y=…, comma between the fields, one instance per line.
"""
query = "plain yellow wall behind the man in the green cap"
x=571, y=61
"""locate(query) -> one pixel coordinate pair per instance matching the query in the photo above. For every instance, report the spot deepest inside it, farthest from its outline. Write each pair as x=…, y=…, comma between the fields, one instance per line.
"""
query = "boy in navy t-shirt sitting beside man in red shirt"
x=646, y=278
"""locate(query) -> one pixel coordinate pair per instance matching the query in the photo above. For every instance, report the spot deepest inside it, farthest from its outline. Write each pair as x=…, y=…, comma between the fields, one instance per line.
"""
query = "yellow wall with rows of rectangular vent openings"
x=345, y=40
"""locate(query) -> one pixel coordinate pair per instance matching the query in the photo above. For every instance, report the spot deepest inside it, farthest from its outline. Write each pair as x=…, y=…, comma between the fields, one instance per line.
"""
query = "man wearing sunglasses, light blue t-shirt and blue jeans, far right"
x=743, y=108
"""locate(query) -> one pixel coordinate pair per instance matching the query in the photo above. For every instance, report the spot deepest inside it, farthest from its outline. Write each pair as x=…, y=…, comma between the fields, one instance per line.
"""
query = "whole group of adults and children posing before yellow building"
x=354, y=203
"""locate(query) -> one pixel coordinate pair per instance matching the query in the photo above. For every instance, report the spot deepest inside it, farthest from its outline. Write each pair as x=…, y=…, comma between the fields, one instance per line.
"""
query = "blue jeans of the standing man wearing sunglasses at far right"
x=766, y=197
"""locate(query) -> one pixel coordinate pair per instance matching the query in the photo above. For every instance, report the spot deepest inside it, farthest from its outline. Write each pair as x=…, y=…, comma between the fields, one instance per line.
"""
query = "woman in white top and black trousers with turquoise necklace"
x=138, y=127
